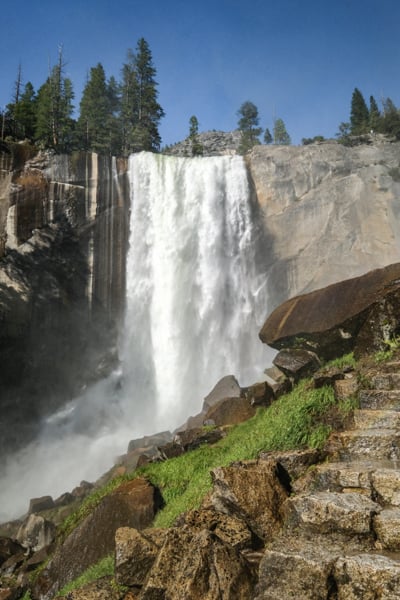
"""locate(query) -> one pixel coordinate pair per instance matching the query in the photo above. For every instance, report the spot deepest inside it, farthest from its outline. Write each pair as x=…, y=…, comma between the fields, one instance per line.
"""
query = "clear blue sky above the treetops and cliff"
x=296, y=59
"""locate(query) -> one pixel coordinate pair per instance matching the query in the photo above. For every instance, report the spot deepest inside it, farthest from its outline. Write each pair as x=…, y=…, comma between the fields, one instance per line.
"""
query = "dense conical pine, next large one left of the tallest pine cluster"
x=95, y=113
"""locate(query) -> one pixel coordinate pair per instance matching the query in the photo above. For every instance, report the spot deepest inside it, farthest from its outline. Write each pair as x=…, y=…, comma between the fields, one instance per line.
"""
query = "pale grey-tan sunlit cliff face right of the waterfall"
x=329, y=212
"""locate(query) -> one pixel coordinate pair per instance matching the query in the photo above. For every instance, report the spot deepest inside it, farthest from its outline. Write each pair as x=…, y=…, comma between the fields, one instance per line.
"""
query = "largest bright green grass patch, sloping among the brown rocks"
x=296, y=420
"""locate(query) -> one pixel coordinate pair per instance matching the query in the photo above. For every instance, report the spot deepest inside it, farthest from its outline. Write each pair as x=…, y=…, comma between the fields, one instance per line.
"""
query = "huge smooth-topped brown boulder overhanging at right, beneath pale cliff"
x=359, y=313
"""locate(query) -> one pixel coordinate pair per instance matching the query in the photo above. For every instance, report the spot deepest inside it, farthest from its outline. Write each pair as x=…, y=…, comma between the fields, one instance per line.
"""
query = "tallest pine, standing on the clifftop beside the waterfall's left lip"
x=140, y=111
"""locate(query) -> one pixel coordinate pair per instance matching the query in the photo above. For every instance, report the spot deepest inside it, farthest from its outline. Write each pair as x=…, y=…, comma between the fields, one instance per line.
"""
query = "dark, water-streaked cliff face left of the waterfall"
x=64, y=233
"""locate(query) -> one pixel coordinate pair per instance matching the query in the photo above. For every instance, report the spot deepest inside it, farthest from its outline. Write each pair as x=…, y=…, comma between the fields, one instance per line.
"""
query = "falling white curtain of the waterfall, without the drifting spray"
x=195, y=299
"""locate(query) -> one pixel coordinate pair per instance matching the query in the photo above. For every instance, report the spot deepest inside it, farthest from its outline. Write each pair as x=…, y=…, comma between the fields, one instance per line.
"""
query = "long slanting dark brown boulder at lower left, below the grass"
x=132, y=504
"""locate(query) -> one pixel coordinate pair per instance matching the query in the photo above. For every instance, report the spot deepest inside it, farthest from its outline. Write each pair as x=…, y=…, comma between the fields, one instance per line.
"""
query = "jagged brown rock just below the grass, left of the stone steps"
x=251, y=491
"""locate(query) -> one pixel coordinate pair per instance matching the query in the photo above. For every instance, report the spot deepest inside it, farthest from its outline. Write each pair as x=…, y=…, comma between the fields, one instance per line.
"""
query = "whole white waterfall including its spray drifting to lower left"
x=195, y=302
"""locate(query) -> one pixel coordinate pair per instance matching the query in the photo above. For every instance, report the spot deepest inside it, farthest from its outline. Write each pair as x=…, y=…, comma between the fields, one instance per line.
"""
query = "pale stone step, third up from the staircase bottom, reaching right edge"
x=379, y=480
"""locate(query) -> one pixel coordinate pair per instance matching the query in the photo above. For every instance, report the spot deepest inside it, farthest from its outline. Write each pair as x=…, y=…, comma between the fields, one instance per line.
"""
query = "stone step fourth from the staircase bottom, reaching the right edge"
x=368, y=444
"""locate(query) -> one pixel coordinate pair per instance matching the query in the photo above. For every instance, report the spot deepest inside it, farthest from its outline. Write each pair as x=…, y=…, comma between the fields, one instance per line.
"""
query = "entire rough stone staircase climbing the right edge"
x=341, y=538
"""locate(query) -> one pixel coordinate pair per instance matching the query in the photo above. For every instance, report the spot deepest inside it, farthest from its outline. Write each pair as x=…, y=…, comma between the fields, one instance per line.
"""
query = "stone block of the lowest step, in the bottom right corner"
x=367, y=576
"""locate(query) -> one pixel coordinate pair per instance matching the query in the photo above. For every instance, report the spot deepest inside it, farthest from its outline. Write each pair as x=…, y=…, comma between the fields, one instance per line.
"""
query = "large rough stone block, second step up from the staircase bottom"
x=330, y=512
